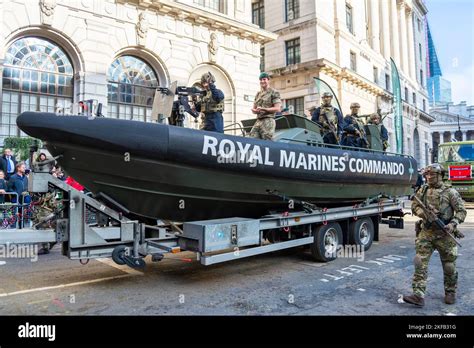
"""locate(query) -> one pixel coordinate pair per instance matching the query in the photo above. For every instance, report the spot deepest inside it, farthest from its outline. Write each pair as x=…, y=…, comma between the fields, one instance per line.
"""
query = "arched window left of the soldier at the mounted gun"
x=131, y=89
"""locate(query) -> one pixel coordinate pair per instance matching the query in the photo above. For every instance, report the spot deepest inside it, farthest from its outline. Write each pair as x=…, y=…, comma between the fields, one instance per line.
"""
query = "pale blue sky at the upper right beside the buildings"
x=452, y=27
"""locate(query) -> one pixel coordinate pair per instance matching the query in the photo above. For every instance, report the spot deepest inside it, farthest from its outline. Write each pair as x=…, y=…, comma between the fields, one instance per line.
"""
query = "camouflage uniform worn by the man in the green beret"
x=264, y=128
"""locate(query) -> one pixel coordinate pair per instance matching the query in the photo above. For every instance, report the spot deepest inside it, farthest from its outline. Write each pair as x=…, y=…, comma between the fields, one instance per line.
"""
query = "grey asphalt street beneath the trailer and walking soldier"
x=283, y=283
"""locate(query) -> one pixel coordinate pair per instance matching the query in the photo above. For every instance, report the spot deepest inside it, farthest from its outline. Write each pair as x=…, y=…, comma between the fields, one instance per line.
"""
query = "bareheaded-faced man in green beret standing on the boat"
x=267, y=103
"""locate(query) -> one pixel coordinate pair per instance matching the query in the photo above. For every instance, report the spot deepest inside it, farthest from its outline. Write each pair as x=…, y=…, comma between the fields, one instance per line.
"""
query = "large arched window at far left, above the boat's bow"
x=37, y=76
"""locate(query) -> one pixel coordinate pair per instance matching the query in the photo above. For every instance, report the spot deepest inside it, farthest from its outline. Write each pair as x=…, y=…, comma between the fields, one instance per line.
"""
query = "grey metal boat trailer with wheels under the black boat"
x=127, y=241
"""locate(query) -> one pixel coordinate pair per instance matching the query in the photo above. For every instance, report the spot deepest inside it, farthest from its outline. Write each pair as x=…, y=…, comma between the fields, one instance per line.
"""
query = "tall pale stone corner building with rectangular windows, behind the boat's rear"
x=348, y=44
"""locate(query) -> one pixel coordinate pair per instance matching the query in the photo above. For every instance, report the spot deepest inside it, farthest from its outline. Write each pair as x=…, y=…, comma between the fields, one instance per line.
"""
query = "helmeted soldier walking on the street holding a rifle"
x=447, y=204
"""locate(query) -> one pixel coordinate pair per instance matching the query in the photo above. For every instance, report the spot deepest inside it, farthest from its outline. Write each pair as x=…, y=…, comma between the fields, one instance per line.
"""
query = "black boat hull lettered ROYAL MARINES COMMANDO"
x=166, y=172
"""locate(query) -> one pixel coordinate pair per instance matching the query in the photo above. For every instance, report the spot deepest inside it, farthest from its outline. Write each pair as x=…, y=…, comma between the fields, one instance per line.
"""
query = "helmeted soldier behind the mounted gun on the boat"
x=211, y=105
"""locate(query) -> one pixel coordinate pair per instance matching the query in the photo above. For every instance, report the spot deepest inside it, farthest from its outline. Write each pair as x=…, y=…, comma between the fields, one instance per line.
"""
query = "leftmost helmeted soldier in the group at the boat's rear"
x=329, y=119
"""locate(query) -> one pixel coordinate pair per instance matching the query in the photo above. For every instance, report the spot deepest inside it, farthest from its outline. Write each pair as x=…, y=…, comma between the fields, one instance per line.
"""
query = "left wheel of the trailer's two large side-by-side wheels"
x=327, y=238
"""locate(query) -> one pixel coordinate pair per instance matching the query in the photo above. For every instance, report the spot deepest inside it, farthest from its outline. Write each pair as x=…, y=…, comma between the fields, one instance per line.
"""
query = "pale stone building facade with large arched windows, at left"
x=53, y=53
